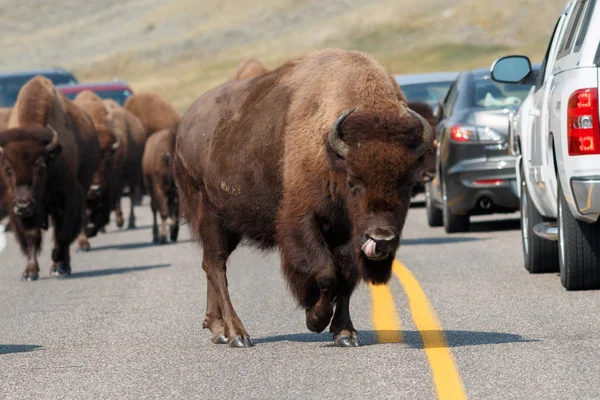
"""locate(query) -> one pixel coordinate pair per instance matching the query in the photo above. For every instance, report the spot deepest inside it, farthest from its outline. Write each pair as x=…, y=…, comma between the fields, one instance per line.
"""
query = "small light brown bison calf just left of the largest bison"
x=158, y=174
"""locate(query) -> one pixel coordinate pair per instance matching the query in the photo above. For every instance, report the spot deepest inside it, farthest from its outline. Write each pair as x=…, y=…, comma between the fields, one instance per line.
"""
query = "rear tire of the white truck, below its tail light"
x=578, y=249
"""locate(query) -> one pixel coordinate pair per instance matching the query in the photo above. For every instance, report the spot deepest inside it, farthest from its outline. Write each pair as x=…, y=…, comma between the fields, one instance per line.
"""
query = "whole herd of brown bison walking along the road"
x=317, y=158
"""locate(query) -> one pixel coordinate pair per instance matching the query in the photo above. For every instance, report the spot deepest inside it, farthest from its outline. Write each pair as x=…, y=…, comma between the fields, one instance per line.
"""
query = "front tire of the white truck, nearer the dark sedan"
x=540, y=255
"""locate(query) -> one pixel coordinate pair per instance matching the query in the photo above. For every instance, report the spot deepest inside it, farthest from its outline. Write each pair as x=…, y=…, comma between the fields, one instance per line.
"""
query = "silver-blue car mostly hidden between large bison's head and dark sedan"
x=428, y=88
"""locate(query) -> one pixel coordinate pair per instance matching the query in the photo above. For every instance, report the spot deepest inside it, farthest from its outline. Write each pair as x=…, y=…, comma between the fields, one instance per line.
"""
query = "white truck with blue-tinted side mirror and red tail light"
x=556, y=138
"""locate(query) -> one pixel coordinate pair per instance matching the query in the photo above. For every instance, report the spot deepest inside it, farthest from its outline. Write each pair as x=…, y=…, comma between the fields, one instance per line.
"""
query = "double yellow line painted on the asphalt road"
x=387, y=325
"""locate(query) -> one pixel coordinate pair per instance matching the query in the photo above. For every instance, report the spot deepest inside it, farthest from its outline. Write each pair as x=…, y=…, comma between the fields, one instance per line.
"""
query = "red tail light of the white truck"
x=582, y=123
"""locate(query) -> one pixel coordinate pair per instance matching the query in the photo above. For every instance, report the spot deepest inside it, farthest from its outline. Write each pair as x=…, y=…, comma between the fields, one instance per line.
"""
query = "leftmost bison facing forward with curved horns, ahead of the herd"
x=49, y=155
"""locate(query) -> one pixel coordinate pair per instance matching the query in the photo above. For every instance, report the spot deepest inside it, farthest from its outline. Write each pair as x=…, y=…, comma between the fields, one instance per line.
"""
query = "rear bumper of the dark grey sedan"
x=469, y=193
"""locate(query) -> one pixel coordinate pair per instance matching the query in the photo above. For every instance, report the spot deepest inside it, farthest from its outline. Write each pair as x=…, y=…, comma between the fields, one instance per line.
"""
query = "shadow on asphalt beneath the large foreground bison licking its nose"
x=410, y=338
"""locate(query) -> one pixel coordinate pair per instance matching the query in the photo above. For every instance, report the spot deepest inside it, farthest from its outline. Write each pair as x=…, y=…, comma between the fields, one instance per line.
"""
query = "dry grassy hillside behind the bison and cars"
x=180, y=48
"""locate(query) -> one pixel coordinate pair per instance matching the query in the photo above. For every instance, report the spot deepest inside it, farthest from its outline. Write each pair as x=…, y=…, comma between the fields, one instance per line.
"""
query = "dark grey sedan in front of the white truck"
x=474, y=173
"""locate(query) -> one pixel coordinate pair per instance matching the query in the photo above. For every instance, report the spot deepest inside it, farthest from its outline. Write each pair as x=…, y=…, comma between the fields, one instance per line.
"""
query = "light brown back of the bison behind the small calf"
x=154, y=112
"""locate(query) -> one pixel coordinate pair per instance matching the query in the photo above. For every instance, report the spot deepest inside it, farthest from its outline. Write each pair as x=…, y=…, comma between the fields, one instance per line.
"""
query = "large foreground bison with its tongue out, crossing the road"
x=317, y=157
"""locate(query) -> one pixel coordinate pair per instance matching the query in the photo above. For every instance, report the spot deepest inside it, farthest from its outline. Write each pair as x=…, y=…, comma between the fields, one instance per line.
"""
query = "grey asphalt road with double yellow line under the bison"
x=127, y=325
